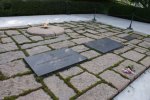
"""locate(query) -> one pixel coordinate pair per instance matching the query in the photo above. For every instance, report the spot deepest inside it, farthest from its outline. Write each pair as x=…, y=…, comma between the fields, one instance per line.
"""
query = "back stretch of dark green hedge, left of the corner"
x=47, y=7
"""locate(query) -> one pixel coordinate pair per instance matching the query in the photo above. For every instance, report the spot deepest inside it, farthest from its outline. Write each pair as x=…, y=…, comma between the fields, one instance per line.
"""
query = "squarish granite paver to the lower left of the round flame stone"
x=21, y=39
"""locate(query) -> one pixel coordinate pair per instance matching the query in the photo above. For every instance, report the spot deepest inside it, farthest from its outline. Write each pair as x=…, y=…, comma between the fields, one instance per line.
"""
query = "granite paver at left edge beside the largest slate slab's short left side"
x=13, y=68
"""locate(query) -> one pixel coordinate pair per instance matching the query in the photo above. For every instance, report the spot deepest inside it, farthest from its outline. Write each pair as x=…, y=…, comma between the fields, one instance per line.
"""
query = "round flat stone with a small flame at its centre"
x=48, y=31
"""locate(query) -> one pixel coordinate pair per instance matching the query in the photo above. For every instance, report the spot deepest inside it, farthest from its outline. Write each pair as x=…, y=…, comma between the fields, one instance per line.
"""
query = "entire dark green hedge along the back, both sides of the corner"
x=48, y=7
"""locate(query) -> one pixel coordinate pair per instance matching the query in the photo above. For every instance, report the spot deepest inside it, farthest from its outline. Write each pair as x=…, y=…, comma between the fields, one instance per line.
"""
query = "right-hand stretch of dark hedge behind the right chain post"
x=126, y=11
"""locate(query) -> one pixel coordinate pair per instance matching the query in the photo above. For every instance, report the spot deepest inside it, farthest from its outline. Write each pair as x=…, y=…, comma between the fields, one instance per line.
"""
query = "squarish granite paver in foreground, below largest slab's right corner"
x=83, y=81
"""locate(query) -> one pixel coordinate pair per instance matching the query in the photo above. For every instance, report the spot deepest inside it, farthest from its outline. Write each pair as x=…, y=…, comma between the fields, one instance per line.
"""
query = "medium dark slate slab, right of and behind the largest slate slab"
x=104, y=45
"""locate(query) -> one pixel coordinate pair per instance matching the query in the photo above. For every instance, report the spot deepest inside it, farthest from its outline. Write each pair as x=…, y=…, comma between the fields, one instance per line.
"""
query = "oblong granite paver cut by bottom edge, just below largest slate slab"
x=59, y=88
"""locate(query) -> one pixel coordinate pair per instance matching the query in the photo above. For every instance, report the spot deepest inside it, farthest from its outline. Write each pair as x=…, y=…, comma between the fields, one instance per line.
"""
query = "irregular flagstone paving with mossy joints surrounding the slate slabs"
x=100, y=77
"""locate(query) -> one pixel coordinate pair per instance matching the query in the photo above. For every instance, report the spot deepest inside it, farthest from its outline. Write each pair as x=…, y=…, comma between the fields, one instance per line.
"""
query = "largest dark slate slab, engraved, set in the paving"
x=51, y=61
